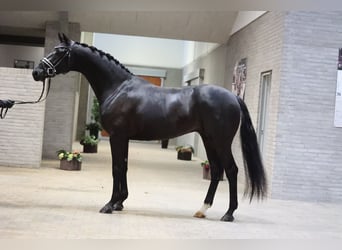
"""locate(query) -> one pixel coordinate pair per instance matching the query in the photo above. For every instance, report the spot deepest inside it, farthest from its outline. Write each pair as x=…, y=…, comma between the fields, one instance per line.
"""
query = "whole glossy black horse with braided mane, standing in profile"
x=132, y=108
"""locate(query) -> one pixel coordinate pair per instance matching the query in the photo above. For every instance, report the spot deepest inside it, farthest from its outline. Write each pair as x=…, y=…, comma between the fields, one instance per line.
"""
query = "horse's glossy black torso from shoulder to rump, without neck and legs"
x=147, y=112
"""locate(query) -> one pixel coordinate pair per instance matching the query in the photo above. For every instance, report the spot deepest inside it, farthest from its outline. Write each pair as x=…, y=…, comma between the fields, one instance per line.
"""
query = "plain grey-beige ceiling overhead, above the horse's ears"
x=205, y=26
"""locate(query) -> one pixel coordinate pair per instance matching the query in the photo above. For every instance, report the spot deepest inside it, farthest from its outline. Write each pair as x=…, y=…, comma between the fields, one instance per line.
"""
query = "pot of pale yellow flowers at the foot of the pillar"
x=69, y=160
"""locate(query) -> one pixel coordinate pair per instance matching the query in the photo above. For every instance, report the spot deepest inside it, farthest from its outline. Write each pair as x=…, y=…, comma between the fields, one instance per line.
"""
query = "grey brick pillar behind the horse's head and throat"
x=61, y=104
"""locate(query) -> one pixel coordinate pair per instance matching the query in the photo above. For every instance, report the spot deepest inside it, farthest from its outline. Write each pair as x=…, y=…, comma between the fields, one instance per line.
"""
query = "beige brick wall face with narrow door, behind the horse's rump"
x=261, y=43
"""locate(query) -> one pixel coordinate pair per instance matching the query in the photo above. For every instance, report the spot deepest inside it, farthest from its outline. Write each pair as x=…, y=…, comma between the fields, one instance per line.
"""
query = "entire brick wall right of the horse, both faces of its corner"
x=303, y=148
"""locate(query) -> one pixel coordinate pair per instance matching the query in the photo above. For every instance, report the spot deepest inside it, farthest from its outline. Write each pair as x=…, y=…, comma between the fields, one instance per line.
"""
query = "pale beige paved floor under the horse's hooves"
x=164, y=194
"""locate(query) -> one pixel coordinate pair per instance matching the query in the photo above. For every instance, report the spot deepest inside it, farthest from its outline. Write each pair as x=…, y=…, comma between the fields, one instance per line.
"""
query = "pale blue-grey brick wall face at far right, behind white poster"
x=308, y=158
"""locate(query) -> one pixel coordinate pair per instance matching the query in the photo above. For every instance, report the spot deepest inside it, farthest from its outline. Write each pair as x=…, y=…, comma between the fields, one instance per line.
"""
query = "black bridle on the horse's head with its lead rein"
x=50, y=70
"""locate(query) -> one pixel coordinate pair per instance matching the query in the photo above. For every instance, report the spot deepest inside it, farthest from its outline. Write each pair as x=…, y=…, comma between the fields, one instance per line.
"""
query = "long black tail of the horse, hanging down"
x=254, y=170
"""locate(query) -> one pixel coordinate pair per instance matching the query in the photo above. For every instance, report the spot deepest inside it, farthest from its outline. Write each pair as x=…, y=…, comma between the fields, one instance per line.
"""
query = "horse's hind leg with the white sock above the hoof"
x=215, y=171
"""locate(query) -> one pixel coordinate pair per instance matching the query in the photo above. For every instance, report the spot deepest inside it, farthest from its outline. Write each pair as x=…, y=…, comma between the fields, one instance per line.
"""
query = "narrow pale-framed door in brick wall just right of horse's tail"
x=265, y=89
